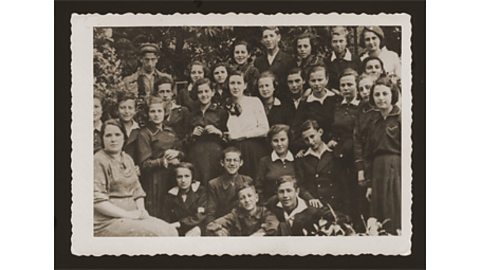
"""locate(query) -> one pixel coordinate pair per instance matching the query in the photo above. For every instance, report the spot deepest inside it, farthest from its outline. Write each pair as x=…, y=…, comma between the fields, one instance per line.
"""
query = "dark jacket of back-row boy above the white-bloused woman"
x=280, y=66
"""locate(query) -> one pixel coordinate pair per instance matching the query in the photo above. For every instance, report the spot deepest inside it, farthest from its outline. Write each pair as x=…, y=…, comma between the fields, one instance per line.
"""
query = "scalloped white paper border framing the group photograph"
x=83, y=242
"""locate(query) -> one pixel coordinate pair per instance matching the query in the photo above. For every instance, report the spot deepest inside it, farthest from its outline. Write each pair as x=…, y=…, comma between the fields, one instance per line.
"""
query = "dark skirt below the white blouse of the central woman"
x=253, y=150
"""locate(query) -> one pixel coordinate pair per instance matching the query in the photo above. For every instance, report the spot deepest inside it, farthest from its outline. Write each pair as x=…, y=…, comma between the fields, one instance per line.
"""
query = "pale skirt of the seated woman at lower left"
x=108, y=226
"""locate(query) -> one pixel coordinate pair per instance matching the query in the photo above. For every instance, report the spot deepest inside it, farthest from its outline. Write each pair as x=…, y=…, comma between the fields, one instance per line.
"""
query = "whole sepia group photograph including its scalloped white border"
x=236, y=133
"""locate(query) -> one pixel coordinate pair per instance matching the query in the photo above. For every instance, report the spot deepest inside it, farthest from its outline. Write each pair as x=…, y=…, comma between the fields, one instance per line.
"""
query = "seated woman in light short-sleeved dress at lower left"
x=119, y=208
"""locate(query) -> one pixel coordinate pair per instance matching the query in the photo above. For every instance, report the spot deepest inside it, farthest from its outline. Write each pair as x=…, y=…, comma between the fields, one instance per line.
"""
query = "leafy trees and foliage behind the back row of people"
x=116, y=49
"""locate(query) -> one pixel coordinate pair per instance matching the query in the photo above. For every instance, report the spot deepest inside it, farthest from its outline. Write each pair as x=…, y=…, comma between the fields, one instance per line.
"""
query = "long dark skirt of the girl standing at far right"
x=386, y=191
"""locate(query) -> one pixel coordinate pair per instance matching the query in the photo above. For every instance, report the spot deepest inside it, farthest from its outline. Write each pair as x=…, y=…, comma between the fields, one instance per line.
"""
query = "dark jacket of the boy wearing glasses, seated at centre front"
x=222, y=195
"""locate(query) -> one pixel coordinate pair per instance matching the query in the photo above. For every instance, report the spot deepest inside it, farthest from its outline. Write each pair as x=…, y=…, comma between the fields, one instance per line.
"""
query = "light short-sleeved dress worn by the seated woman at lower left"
x=117, y=182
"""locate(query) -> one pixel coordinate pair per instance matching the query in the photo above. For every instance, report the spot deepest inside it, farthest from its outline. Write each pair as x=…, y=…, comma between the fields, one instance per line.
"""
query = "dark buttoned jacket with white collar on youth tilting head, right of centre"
x=317, y=178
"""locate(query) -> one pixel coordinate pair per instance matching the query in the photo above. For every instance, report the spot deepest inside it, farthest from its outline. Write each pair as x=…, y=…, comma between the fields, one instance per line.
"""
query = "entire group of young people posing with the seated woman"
x=264, y=147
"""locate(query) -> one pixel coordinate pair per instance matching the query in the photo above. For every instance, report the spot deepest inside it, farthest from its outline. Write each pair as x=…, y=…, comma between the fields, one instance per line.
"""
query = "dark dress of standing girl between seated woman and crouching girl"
x=156, y=177
